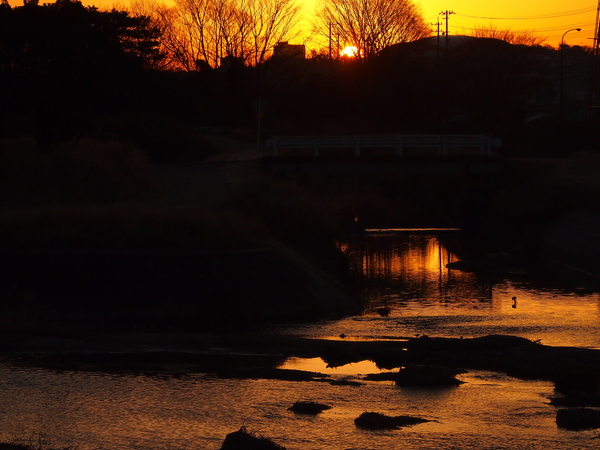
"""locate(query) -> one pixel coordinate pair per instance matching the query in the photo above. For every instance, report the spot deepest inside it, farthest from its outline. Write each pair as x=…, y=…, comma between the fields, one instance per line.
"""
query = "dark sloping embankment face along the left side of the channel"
x=153, y=289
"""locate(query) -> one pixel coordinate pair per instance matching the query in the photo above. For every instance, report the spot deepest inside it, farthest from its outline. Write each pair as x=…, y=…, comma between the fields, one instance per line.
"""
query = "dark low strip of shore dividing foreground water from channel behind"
x=258, y=355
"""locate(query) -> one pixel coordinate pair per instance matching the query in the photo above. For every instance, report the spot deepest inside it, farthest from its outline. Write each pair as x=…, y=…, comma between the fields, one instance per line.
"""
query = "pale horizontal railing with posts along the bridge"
x=441, y=144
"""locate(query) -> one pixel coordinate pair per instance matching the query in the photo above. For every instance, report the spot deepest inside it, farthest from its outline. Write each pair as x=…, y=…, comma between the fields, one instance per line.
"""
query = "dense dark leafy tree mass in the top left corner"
x=64, y=59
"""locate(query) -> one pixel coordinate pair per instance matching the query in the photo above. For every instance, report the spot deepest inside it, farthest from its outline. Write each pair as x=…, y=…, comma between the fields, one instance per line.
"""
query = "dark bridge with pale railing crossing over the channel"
x=388, y=153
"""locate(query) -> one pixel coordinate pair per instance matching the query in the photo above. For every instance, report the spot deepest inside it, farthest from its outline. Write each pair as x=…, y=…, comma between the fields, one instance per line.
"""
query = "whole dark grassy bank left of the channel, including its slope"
x=96, y=236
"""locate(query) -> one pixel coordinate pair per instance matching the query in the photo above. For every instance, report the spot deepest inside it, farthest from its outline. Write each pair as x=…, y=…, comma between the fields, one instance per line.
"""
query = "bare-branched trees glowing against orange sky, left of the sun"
x=207, y=33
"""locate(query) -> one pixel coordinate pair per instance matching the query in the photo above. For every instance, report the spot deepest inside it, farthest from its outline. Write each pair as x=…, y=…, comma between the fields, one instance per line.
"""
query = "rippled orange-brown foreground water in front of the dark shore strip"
x=94, y=411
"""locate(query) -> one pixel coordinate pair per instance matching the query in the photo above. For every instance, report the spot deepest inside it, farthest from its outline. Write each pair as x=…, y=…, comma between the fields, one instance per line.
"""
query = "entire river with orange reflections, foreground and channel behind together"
x=406, y=274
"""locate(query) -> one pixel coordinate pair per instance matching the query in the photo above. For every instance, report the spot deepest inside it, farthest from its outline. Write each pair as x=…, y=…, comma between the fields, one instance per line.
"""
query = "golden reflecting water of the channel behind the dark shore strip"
x=405, y=276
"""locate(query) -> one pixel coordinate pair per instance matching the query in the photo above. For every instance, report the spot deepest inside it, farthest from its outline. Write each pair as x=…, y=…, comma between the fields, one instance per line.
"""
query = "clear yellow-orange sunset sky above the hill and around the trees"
x=549, y=18
